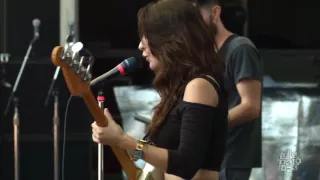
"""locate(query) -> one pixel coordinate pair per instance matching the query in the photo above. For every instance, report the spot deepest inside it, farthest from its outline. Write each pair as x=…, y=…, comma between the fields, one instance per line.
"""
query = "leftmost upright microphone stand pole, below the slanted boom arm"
x=16, y=124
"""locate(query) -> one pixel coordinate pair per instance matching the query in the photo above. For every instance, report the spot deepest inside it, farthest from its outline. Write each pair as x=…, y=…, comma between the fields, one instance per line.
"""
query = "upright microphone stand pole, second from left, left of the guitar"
x=56, y=121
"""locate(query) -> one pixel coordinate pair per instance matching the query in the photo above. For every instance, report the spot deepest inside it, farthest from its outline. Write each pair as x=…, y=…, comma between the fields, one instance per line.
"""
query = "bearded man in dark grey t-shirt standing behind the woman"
x=243, y=81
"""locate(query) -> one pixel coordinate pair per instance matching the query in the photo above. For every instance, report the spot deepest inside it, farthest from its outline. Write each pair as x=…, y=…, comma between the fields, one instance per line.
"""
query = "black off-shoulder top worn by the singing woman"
x=195, y=135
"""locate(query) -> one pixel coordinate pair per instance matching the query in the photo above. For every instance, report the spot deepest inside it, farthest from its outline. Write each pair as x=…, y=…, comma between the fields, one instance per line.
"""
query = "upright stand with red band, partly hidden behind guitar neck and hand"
x=100, y=146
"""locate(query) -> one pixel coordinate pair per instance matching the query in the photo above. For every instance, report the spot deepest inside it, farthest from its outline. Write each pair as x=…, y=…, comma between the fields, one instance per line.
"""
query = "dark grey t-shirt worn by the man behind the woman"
x=243, y=148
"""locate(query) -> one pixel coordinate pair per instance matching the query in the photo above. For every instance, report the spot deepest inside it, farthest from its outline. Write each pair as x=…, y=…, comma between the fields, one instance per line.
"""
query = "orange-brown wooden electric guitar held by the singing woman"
x=76, y=64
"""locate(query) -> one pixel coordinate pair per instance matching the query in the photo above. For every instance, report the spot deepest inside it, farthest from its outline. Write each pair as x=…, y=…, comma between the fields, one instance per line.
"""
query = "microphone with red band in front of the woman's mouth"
x=122, y=69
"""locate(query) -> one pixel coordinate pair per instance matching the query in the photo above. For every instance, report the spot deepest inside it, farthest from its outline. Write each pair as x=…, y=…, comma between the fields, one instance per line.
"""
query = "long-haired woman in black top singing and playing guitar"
x=189, y=126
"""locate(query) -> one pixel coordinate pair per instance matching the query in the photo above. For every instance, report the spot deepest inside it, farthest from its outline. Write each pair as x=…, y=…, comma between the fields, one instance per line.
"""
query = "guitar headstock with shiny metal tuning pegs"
x=76, y=64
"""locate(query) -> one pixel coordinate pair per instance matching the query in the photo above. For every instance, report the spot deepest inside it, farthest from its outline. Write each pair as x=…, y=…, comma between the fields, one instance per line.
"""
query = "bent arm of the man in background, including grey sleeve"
x=247, y=74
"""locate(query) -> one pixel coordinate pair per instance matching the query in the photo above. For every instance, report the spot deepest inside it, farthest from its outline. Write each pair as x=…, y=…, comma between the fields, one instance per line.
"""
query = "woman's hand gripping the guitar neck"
x=111, y=135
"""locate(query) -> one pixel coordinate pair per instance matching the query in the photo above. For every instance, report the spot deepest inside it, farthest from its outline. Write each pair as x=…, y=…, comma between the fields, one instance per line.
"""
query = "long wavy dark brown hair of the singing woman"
x=184, y=47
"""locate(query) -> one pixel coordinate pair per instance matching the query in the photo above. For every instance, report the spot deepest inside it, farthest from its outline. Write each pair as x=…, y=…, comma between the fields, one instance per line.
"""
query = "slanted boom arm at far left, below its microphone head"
x=26, y=57
